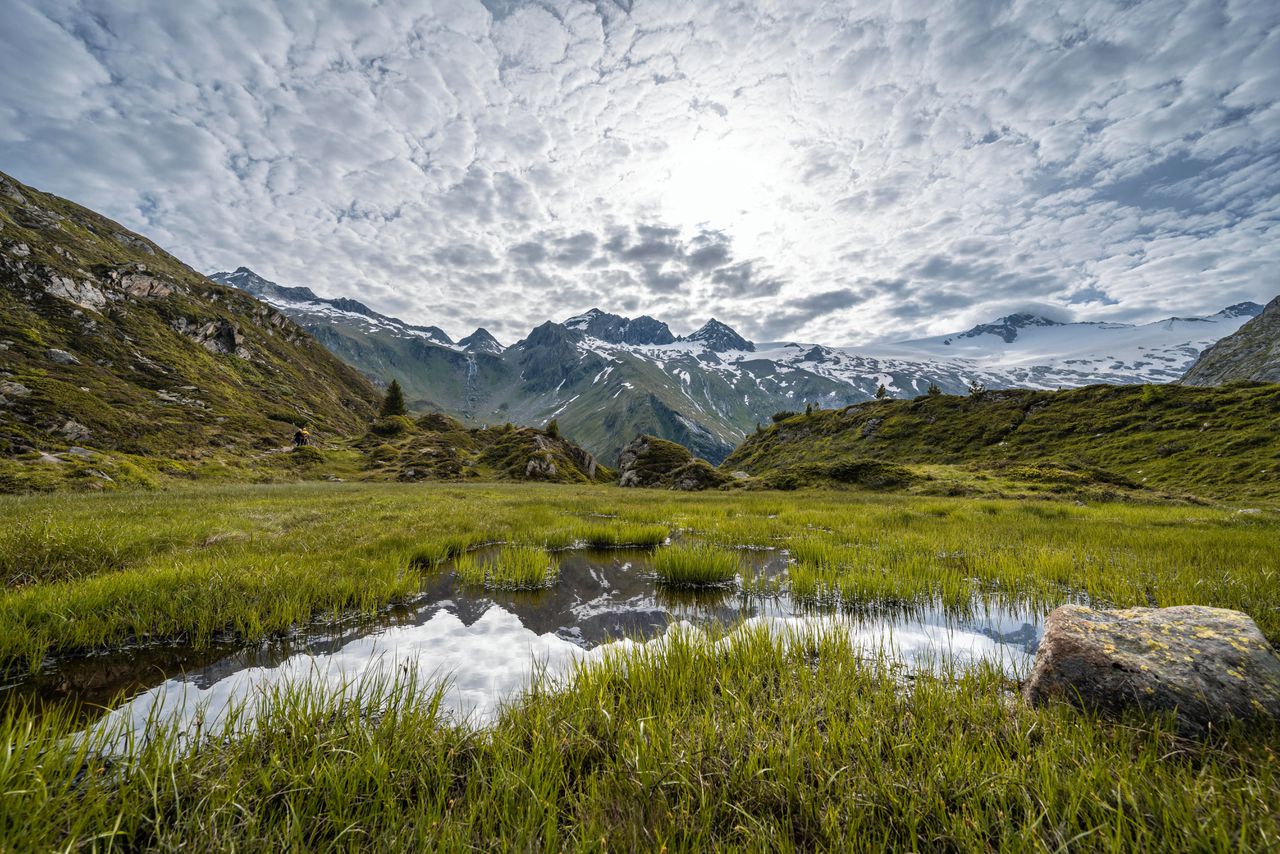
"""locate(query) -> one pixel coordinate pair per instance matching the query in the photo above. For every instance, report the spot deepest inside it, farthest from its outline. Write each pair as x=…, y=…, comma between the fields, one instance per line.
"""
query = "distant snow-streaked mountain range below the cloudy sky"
x=607, y=378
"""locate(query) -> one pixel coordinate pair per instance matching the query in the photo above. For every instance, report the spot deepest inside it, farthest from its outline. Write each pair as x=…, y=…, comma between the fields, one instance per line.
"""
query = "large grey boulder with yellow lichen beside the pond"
x=1212, y=666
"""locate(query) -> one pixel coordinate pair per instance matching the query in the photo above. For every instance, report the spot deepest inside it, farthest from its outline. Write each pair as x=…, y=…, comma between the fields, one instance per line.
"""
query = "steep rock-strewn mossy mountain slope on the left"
x=107, y=341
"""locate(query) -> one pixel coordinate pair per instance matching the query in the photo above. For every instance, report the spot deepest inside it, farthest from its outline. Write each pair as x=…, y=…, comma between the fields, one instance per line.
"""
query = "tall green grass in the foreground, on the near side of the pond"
x=760, y=745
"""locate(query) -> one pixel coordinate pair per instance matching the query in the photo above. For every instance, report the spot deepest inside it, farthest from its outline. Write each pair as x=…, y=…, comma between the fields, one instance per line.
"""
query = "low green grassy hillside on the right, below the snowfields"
x=1213, y=442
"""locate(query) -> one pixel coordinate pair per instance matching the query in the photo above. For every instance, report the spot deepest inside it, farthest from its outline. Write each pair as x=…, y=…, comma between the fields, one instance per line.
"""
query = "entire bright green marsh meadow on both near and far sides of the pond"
x=748, y=745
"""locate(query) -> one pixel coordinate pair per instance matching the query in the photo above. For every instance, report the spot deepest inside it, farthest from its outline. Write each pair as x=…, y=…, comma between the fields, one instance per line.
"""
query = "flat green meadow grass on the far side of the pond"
x=94, y=572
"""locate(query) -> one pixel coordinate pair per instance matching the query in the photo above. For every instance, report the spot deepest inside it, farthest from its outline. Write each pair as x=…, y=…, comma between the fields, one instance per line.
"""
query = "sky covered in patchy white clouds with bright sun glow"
x=835, y=172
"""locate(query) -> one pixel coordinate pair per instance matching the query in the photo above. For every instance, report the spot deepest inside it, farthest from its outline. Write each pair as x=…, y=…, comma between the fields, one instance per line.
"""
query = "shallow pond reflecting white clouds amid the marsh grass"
x=488, y=645
